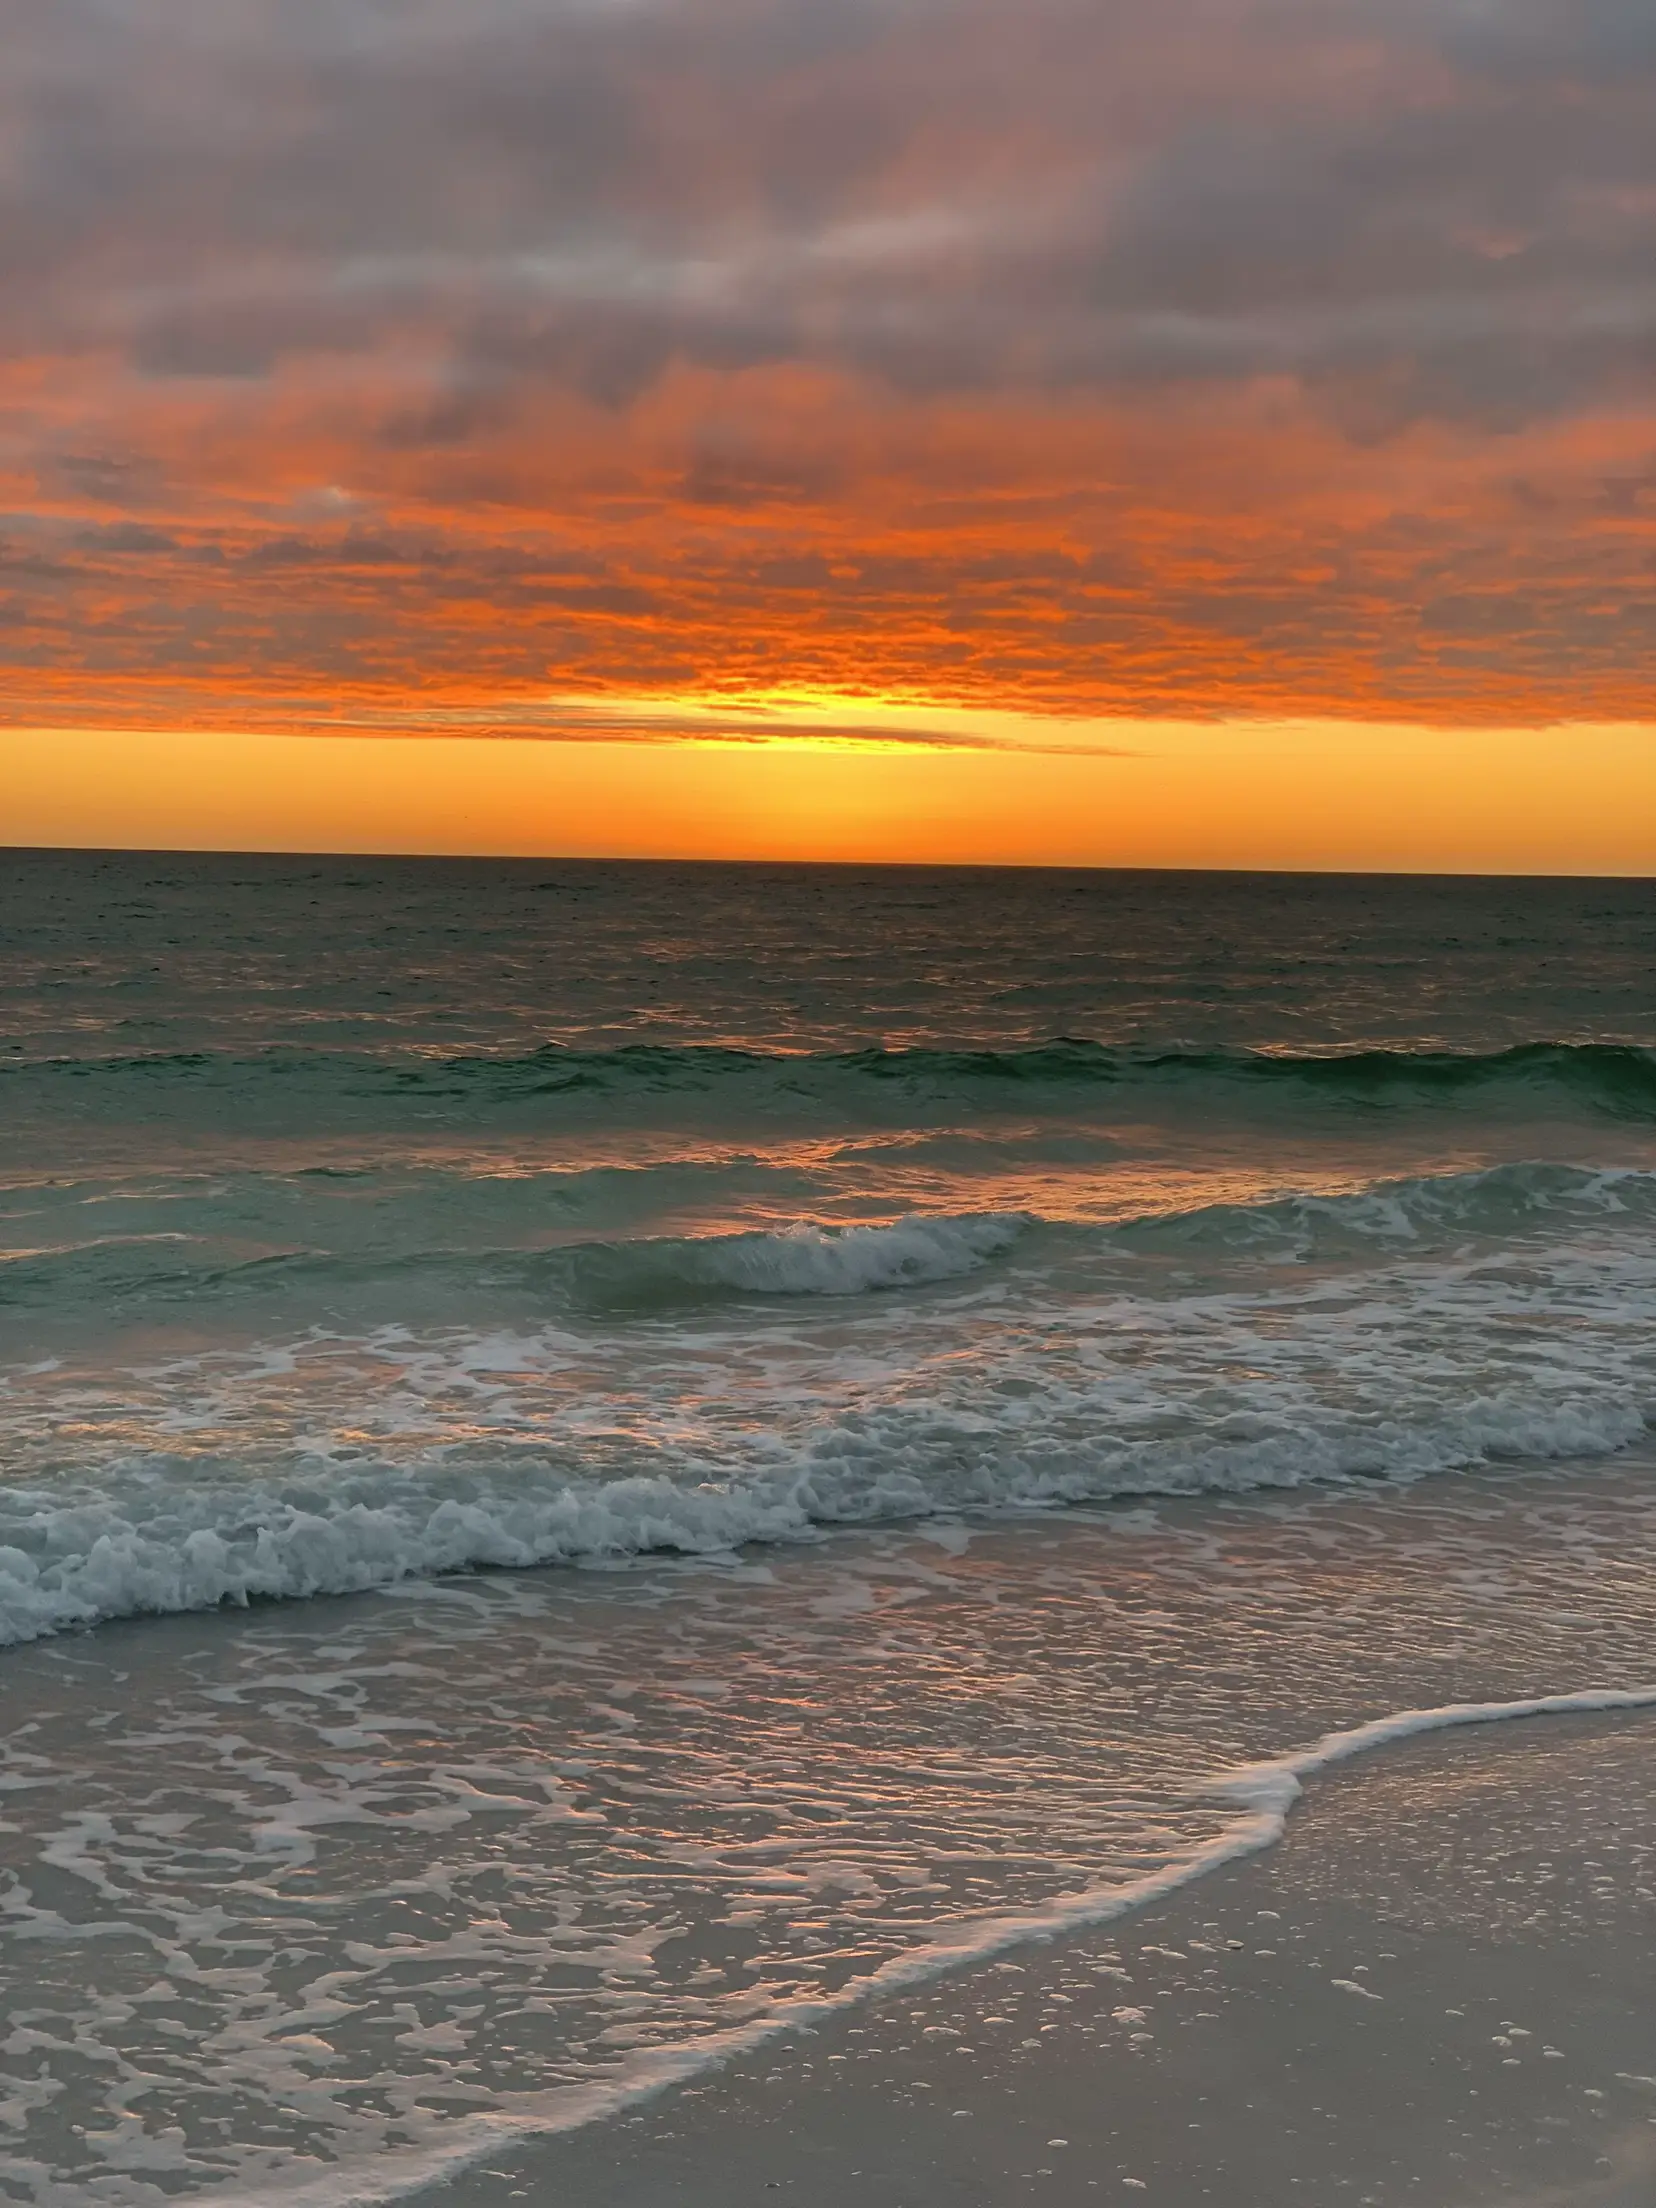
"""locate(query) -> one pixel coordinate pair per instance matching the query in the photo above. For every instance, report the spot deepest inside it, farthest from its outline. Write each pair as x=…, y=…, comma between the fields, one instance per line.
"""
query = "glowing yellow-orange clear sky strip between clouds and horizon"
x=818, y=776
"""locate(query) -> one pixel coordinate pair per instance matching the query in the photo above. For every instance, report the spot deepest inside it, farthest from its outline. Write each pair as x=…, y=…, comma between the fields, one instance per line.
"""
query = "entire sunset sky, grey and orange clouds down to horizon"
x=1209, y=432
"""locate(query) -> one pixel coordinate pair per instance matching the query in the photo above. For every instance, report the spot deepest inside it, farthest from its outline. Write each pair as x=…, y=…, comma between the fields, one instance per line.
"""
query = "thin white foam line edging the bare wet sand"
x=1266, y=1792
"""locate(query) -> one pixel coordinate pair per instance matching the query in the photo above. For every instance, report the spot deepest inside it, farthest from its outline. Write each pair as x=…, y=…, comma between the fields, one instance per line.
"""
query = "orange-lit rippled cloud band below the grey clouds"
x=765, y=531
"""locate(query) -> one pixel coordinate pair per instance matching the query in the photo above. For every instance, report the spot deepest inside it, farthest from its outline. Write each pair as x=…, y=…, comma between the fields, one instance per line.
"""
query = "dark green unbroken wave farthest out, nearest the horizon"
x=1611, y=1079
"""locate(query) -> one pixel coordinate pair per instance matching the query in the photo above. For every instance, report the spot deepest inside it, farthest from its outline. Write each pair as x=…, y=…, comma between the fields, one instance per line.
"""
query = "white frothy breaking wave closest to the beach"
x=156, y=1540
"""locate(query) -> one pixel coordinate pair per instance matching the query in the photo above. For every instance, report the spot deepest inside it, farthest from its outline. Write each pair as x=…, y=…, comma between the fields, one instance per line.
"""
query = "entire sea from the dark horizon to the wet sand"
x=599, y=1461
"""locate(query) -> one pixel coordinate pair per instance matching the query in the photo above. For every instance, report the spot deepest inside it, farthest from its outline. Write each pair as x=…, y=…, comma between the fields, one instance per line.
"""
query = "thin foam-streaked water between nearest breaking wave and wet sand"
x=335, y=1896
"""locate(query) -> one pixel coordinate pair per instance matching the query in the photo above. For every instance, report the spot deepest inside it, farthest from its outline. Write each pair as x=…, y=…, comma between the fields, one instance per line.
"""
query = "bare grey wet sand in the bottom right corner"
x=1441, y=1988
